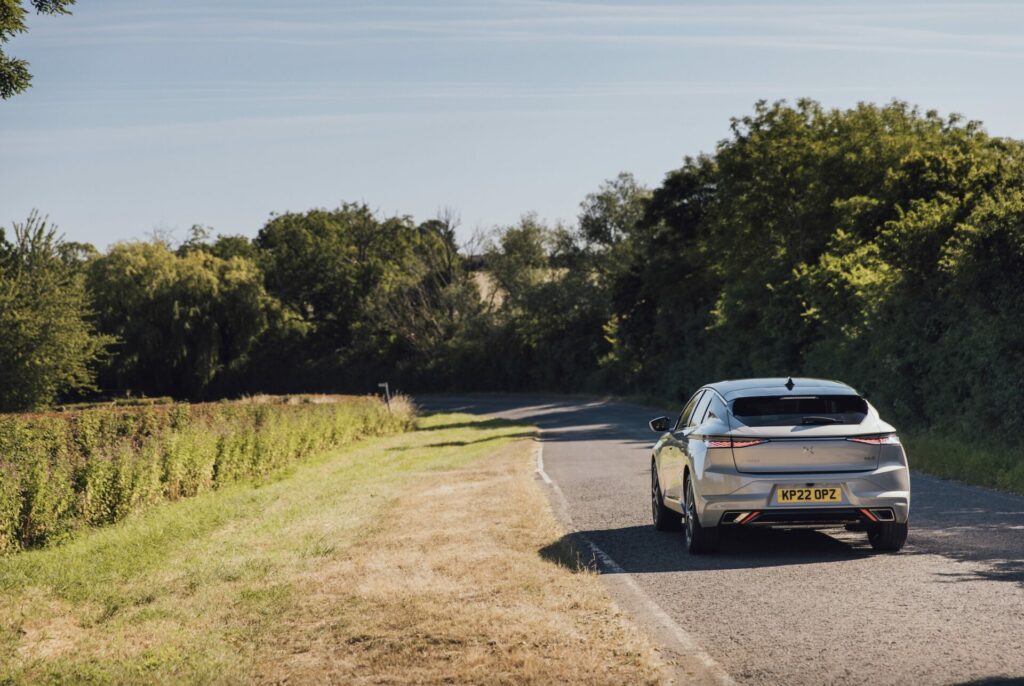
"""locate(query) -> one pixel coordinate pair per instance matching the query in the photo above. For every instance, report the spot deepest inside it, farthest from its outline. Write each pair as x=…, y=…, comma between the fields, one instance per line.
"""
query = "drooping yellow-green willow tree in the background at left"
x=182, y=322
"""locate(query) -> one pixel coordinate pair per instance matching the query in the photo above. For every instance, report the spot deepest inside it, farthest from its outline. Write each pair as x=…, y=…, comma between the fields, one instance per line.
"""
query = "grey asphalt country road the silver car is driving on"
x=801, y=608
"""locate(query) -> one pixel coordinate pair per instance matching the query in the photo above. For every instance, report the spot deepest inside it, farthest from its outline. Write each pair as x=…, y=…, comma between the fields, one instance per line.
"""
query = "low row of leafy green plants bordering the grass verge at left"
x=61, y=473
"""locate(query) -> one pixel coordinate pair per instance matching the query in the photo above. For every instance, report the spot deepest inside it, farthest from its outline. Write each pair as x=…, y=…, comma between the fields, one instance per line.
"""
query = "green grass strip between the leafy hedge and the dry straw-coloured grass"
x=187, y=590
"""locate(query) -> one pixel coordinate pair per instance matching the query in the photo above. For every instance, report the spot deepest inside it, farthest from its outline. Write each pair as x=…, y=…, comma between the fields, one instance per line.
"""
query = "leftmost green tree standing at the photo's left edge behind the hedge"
x=48, y=345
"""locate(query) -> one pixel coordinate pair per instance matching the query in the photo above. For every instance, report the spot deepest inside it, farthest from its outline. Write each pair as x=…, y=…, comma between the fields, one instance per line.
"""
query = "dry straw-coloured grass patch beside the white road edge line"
x=452, y=590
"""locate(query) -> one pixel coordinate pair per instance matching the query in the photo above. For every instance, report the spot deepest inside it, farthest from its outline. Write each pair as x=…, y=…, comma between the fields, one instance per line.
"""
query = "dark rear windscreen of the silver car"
x=797, y=410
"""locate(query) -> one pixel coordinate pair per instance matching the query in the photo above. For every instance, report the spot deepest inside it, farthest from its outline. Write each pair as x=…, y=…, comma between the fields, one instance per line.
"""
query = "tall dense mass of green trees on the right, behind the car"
x=880, y=245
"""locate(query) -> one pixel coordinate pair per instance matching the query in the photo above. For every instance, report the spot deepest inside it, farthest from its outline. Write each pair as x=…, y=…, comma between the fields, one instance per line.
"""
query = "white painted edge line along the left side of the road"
x=686, y=644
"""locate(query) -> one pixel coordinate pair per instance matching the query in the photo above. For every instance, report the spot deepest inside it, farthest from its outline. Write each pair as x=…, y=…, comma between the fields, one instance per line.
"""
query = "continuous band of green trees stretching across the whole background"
x=881, y=245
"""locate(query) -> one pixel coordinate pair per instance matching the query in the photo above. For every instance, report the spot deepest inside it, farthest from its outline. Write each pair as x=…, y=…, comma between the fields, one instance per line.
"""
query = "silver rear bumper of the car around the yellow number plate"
x=886, y=491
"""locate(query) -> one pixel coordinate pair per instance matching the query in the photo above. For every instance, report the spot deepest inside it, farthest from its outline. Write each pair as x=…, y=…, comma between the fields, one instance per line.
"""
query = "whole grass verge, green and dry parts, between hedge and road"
x=408, y=559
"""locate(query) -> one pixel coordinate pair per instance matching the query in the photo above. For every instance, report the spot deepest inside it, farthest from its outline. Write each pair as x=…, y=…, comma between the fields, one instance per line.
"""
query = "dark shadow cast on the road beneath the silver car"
x=644, y=550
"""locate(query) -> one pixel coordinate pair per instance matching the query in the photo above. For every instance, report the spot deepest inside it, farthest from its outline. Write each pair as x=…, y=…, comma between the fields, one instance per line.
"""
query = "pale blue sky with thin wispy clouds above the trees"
x=150, y=115
